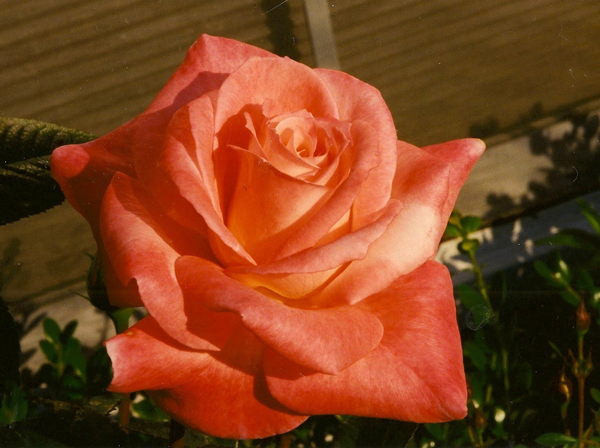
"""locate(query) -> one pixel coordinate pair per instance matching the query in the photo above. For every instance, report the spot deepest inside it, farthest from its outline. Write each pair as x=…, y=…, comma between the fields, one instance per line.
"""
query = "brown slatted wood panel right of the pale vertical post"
x=446, y=65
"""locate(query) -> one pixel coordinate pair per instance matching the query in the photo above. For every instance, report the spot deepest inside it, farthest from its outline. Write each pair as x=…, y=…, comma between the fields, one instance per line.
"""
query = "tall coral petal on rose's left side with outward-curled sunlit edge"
x=142, y=244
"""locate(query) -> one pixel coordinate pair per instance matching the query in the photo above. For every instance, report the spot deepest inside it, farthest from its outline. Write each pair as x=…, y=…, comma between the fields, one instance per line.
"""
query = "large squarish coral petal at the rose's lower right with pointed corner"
x=415, y=374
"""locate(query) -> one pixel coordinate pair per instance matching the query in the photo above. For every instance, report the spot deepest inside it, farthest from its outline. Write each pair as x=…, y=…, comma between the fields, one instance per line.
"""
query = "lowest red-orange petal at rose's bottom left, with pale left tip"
x=222, y=394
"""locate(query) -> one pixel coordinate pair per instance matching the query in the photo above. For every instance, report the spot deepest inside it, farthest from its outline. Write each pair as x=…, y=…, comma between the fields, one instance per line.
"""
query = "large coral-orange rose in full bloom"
x=281, y=239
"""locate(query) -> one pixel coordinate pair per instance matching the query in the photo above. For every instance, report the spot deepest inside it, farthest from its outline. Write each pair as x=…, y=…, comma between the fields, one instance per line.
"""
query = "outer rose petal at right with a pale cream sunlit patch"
x=421, y=184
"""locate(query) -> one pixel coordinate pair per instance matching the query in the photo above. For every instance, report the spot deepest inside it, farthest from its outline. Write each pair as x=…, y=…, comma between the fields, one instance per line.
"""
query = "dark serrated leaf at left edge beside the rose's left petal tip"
x=26, y=187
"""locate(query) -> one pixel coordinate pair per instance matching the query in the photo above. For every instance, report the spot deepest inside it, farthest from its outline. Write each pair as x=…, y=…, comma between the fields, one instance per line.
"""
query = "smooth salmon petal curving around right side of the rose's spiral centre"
x=358, y=101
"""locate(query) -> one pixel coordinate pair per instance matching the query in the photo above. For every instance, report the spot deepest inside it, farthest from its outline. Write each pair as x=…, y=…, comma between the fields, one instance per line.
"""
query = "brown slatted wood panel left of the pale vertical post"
x=94, y=65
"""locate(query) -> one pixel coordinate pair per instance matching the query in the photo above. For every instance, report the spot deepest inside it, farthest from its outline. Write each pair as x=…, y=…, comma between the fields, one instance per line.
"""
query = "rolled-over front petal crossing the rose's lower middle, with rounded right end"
x=308, y=337
